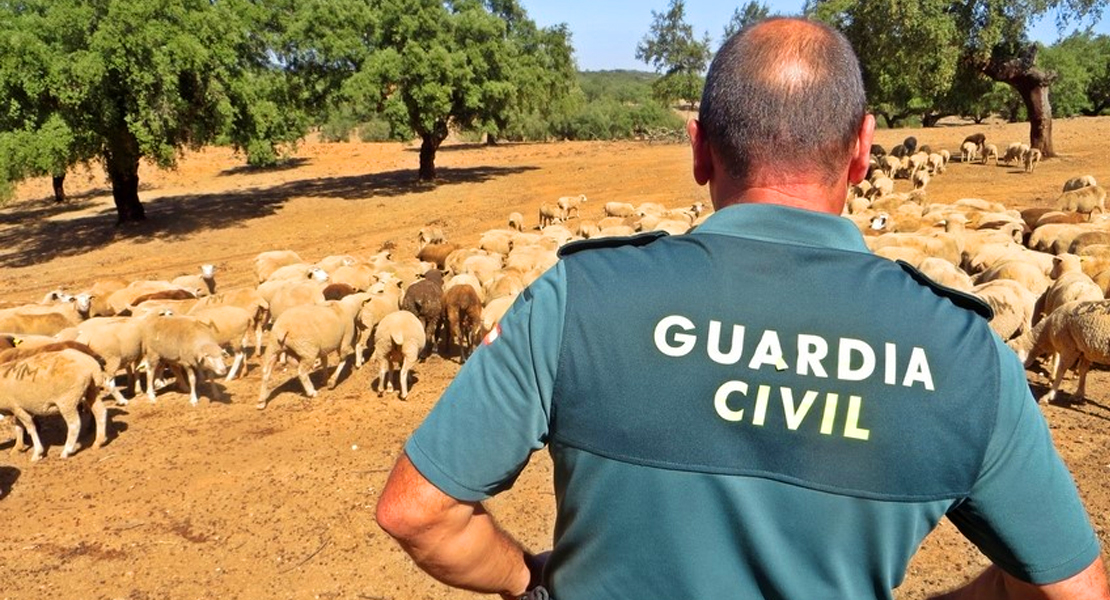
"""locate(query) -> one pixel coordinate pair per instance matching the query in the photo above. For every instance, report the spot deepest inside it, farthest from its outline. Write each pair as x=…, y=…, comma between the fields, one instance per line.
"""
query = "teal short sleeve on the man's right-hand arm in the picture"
x=1025, y=513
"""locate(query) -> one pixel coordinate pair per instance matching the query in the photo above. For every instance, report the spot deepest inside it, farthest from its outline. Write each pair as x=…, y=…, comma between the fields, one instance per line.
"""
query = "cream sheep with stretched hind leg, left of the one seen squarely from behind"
x=309, y=333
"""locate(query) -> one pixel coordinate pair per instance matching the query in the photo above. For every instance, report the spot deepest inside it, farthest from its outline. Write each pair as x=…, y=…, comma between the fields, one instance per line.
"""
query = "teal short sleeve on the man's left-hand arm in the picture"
x=495, y=414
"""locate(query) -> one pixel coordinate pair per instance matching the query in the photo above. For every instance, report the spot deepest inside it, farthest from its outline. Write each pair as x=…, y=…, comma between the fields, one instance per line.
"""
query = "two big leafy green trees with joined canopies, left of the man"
x=118, y=82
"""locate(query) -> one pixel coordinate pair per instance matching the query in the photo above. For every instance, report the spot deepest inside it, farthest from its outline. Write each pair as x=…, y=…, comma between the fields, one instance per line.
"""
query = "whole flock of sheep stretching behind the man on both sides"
x=1044, y=271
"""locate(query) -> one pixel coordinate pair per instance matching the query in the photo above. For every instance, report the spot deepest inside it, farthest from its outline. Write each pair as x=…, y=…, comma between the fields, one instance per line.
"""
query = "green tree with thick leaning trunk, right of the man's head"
x=935, y=55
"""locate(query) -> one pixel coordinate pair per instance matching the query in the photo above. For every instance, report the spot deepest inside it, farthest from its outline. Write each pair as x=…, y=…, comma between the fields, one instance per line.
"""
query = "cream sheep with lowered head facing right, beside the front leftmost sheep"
x=186, y=345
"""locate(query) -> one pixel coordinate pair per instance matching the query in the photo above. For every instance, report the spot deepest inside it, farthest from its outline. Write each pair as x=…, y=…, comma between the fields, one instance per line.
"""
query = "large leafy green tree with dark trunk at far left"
x=120, y=80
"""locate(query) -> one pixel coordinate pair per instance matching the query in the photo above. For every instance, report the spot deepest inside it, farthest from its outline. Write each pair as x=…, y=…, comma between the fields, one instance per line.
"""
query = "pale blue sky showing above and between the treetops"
x=606, y=33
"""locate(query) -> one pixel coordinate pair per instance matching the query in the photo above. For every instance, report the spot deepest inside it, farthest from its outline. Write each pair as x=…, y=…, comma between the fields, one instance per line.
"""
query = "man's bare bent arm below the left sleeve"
x=455, y=542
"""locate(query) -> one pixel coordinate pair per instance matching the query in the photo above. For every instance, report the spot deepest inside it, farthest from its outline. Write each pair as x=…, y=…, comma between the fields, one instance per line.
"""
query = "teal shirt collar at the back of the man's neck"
x=784, y=225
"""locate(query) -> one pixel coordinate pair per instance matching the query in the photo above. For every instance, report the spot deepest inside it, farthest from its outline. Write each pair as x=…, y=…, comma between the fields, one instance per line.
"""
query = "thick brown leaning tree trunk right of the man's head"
x=1033, y=85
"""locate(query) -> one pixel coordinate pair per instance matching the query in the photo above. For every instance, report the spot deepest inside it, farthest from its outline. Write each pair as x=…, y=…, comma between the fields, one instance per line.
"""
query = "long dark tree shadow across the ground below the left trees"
x=43, y=232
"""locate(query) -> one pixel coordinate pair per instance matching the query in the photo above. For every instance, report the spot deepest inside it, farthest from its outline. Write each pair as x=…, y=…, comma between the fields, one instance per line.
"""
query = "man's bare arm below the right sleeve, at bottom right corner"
x=995, y=584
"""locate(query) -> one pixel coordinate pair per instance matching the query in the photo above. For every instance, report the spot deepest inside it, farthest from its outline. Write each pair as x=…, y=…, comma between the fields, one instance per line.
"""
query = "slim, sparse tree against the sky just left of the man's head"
x=672, y=50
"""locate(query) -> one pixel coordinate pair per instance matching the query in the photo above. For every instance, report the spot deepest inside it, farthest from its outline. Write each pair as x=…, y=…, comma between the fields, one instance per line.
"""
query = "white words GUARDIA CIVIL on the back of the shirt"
x=856, y=361
